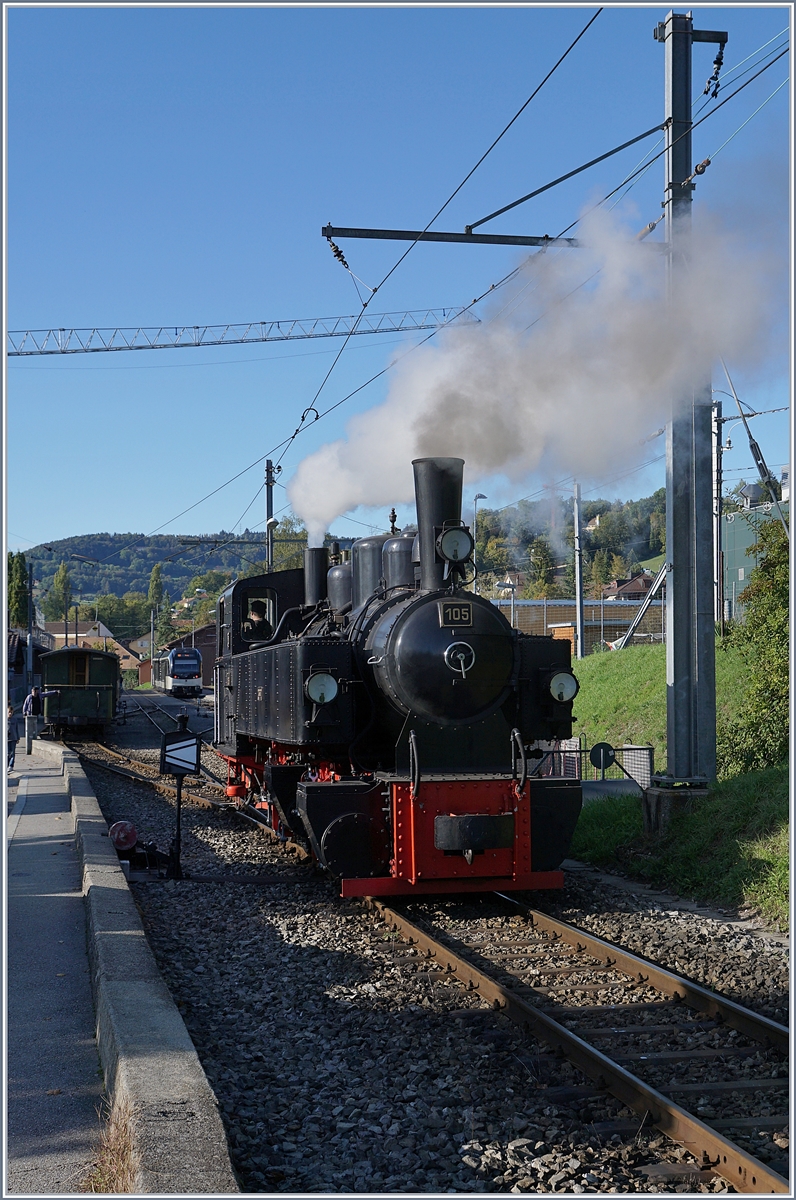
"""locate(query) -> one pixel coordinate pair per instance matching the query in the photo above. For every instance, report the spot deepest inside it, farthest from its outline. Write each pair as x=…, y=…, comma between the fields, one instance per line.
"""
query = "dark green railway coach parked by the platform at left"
x=88, y=685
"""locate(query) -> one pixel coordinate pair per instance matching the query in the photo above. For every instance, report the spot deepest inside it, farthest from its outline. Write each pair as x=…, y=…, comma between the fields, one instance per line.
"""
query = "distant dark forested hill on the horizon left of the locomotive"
x=125, y=561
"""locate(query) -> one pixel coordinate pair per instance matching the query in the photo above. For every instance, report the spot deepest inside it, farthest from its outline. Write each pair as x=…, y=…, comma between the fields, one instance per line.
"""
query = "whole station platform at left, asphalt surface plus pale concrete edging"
x=88, y=1011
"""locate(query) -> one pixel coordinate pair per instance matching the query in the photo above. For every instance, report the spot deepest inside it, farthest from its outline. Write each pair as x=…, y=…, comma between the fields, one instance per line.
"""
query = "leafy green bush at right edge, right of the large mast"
x=759, y=737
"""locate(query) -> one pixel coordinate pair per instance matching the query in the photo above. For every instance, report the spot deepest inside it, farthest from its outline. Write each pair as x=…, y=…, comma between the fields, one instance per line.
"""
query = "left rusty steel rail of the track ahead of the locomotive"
x=744, y=1171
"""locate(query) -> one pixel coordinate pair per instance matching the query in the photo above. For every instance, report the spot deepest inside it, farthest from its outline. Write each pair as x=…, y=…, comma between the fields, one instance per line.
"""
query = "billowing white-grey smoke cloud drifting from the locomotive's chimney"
x=584, y=362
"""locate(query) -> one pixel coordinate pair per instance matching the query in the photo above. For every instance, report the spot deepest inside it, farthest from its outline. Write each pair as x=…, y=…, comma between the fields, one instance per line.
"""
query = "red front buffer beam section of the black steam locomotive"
x=465, y=833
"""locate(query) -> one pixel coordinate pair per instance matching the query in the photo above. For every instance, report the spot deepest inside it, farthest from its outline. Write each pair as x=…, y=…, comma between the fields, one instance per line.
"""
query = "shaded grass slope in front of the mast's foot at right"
x=729, y=849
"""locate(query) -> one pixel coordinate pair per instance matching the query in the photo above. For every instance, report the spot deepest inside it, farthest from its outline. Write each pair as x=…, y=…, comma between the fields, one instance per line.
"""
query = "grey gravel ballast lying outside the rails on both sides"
x=342, y=1066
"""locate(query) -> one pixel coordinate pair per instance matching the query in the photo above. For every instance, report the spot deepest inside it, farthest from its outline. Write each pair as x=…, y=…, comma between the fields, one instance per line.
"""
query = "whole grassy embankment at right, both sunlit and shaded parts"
x=729, y=849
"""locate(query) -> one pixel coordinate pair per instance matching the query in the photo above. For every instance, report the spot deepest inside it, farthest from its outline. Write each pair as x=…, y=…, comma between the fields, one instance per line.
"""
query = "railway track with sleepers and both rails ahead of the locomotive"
x=689, y=1061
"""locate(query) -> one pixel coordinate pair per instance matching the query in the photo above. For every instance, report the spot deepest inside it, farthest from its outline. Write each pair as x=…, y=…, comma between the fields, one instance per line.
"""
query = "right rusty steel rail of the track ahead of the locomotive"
x=753, y=1025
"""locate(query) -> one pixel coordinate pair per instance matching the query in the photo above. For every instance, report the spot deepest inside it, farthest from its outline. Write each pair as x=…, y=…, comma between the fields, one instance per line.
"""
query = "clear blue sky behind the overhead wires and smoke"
x=176, y=166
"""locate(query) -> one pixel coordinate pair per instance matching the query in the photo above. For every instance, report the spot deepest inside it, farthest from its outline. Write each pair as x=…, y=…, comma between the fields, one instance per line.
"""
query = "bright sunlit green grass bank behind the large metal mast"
x=624, y=695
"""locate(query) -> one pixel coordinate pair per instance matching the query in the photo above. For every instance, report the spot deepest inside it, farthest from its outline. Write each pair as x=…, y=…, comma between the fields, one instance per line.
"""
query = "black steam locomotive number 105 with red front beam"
x=392, y=721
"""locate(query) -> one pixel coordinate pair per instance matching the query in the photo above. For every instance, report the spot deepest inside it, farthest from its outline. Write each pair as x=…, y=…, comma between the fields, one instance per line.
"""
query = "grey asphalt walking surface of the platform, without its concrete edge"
x=53, y=1067
